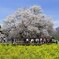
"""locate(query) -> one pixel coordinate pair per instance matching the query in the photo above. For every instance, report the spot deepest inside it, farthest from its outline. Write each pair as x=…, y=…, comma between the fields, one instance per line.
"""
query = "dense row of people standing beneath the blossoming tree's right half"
x=40, y=40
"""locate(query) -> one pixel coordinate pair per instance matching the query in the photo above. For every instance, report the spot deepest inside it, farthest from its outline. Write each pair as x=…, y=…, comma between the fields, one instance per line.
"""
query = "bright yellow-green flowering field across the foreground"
x=45, y=51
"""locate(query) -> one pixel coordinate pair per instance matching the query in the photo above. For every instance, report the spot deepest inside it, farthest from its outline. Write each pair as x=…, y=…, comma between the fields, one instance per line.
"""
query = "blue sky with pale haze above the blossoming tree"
x=49, y=7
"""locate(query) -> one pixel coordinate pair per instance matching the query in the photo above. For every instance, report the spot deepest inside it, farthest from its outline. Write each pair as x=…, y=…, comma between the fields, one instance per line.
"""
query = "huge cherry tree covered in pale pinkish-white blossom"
x=28, y=22
